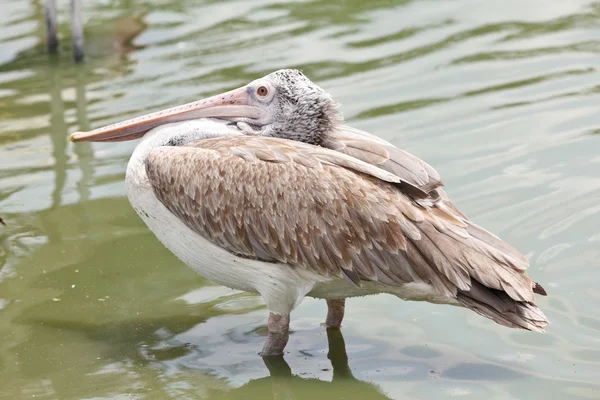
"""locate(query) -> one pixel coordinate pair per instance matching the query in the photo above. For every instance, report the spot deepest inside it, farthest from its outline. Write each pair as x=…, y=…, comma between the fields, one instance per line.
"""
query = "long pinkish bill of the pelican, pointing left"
x=229, y=105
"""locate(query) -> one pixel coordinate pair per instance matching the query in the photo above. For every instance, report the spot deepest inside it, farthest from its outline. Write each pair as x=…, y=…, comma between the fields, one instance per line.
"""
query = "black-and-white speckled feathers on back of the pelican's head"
x=303, y=111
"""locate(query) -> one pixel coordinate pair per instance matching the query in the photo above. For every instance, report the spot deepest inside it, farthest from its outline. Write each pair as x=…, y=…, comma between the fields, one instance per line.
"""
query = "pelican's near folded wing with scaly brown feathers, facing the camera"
x=315, y=208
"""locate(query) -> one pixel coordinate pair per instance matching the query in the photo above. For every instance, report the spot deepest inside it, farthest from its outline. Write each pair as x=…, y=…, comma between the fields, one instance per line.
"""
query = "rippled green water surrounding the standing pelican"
x=503, y=98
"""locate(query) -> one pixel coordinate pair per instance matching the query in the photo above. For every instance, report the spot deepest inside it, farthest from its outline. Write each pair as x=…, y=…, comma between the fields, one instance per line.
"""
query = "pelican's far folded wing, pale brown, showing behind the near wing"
x=421, y=182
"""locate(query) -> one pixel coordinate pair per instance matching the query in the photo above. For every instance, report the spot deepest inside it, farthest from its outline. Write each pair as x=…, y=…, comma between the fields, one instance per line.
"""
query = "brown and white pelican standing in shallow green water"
x=264, y=189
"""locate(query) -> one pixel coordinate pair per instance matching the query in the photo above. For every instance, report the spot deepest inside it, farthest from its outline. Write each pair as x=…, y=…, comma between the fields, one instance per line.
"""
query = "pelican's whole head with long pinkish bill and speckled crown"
x=283, y=104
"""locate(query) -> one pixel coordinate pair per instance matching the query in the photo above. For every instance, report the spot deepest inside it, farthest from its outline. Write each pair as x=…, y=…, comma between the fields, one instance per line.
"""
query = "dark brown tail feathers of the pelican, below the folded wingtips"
x=502, y=309
